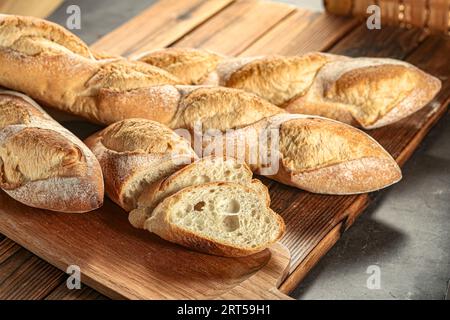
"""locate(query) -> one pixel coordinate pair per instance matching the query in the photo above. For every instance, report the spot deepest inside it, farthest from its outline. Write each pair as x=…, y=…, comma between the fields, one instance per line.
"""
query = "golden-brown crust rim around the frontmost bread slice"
x=161, y=225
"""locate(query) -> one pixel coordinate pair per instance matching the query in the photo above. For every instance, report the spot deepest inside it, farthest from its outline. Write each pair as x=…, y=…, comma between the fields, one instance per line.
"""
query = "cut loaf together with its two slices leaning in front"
x=146, y=165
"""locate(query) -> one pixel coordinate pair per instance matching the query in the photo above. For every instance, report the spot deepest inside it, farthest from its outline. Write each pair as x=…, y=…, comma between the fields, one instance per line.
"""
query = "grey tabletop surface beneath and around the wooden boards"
x=405, y=233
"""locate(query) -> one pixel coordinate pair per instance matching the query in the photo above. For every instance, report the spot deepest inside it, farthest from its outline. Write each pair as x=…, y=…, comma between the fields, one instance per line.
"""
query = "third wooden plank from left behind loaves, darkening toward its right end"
x=302, y=32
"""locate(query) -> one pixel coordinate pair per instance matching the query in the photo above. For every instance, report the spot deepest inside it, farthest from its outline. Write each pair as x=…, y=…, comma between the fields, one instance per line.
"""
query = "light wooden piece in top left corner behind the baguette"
x=36, y=8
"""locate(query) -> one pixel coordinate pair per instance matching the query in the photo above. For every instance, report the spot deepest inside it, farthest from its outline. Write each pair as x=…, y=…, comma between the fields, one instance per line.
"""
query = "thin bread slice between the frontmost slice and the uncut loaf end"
x=209, y=169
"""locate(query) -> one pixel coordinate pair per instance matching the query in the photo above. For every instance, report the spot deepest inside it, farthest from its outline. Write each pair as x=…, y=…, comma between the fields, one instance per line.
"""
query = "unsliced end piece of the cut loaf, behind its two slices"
x=135, y=153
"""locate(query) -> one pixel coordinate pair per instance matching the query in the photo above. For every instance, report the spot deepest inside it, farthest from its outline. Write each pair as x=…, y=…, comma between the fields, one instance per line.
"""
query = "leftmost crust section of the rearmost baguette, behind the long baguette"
x=189, y=65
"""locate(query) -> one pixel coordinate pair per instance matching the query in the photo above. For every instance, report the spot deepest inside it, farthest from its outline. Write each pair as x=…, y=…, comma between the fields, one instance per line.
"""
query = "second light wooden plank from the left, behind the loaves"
x=236, y=27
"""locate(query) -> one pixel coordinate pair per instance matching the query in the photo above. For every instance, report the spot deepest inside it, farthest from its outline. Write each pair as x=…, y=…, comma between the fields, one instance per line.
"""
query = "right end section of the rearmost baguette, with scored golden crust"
x=368, y=89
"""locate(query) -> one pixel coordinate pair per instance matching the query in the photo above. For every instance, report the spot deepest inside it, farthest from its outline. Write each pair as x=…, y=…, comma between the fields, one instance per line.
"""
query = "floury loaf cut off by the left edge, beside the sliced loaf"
x=42, y=164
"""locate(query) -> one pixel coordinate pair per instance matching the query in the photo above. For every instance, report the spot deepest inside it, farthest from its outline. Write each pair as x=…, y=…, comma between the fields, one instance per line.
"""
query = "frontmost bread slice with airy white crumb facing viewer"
x=221, y=218
